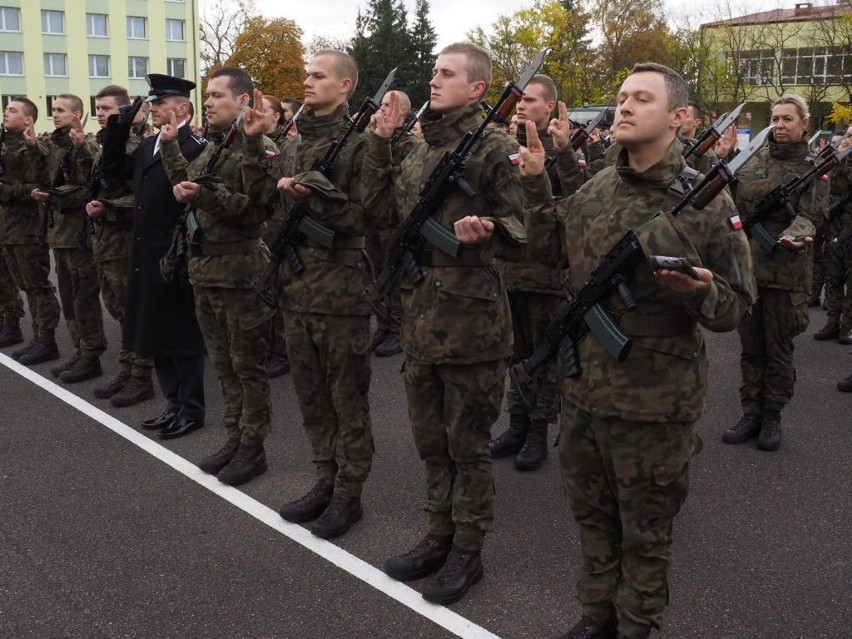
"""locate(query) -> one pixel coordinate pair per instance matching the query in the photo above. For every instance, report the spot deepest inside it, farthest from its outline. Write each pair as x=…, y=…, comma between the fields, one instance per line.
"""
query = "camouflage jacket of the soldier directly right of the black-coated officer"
x=234, y=201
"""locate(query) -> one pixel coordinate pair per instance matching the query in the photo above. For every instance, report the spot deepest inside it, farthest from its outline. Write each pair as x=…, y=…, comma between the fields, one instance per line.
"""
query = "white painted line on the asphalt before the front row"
x=444, y=617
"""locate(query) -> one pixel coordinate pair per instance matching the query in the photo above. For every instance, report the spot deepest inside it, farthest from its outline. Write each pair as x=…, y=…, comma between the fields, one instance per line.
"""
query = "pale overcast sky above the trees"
x=454, y=18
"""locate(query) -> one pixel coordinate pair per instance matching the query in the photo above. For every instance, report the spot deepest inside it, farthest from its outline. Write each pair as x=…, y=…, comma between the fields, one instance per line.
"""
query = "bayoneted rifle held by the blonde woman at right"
x=781, y=198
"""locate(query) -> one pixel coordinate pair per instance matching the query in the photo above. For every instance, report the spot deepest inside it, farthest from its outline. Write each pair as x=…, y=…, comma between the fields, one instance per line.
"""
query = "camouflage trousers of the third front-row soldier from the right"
x=330, y=364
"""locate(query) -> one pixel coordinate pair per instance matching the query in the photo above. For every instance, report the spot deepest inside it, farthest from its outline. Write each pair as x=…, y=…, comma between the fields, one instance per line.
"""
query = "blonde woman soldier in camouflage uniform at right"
x=783, y=278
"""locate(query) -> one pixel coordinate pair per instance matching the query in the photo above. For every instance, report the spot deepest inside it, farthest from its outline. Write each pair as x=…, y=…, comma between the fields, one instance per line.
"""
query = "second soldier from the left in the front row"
x=64, y=206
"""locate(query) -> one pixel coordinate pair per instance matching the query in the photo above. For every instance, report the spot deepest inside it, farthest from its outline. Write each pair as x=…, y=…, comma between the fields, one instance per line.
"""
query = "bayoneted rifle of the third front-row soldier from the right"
x=299, y=221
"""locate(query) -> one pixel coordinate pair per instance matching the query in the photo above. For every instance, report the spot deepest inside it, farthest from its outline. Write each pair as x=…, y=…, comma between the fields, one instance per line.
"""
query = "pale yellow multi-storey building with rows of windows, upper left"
x=48, y=47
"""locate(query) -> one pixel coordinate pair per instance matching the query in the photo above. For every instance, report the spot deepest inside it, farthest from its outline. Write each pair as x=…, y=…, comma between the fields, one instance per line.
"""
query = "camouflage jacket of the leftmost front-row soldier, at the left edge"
x=20, y=222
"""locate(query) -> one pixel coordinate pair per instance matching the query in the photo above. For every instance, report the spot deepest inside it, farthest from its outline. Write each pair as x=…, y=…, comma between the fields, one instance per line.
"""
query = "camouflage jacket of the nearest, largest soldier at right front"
x=665, y=377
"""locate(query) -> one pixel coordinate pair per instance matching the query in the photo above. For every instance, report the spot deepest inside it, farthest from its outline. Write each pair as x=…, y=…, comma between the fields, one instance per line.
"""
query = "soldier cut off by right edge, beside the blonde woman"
x=838, y=275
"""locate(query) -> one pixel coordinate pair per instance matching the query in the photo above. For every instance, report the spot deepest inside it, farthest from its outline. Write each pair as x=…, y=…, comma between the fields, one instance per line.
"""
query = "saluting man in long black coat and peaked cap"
x=160, y=316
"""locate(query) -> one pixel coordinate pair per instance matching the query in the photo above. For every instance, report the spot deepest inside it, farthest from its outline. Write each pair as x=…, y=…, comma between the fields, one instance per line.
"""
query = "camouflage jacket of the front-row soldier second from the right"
x=457, y=314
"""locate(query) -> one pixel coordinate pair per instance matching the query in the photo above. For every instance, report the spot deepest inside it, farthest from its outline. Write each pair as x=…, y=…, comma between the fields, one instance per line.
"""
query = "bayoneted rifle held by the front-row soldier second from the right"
x=447, y=175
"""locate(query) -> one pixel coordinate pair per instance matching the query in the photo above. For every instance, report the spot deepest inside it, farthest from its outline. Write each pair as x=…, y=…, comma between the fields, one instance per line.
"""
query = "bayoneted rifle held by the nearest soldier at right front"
x=584, y=312
